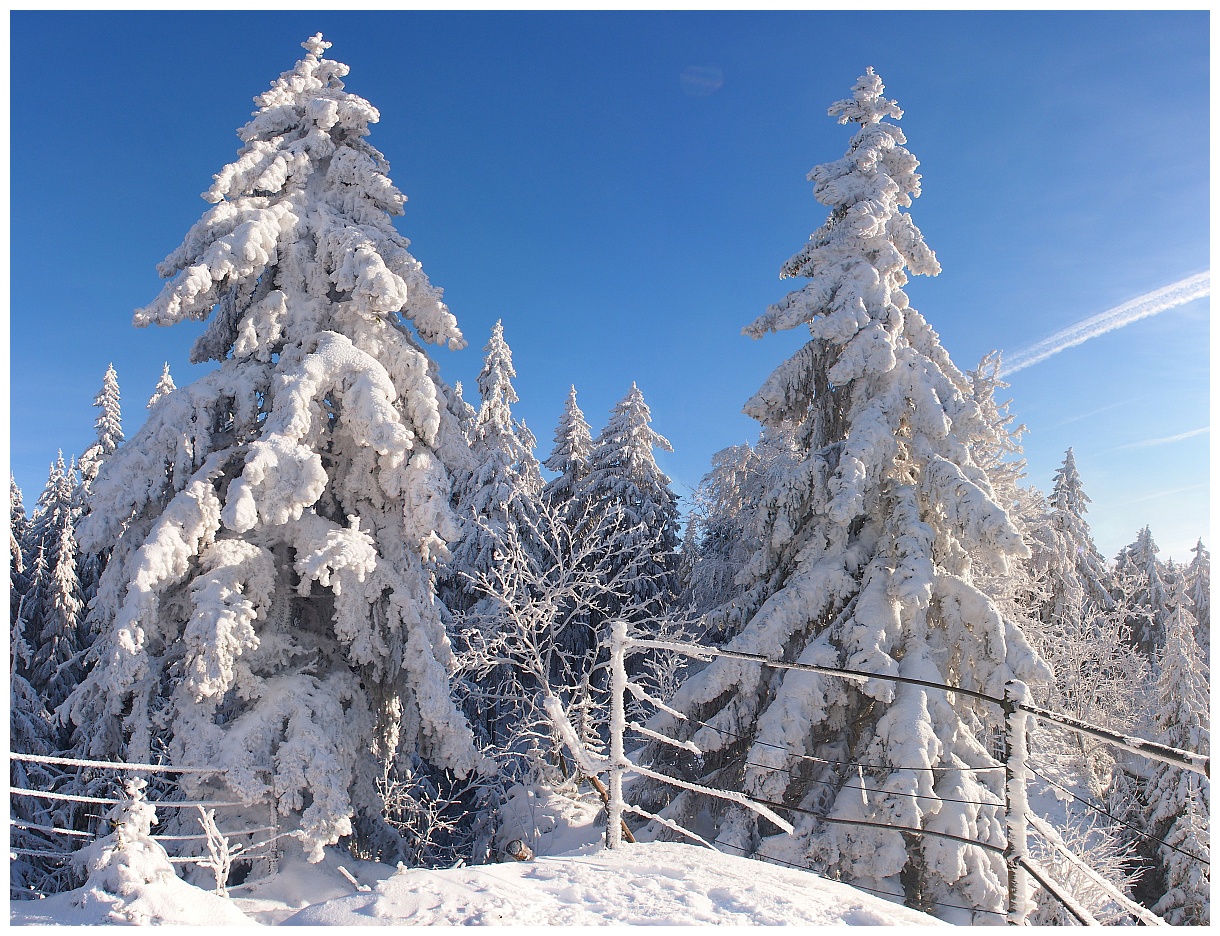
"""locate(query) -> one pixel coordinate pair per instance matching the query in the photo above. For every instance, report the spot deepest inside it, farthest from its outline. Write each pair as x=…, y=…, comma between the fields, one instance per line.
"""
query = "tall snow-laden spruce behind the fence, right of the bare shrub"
x=870, y=553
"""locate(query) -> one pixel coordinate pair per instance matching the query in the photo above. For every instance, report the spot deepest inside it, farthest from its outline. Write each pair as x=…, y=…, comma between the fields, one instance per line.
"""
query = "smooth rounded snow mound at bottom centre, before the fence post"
x=659, y=883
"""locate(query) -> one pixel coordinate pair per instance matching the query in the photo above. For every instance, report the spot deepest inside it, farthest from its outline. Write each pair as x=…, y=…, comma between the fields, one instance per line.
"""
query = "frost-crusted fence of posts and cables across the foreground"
x=1016, y=769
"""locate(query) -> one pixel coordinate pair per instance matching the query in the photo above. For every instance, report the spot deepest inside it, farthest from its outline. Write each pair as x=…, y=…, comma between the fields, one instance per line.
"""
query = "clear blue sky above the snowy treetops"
x=623, y=189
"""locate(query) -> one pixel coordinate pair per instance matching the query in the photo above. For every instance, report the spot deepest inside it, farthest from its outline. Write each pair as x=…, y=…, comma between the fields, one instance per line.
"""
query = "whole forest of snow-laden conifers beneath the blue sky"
x=334, y=610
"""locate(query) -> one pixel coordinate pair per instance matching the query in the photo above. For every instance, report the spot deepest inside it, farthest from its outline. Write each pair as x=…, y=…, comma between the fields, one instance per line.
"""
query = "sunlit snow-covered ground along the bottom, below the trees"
x=656, y=883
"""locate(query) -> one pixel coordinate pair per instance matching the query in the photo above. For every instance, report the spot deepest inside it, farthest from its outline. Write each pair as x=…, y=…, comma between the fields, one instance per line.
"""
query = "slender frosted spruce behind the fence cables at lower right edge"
x=1178, y=802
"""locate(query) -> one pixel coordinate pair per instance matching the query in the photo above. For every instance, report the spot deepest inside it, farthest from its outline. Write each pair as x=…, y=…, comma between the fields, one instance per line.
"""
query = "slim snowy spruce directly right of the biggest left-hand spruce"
x=504, y=488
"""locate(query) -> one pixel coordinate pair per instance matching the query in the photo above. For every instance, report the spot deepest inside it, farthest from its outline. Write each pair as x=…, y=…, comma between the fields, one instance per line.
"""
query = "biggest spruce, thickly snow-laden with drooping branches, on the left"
x=270, y=603
